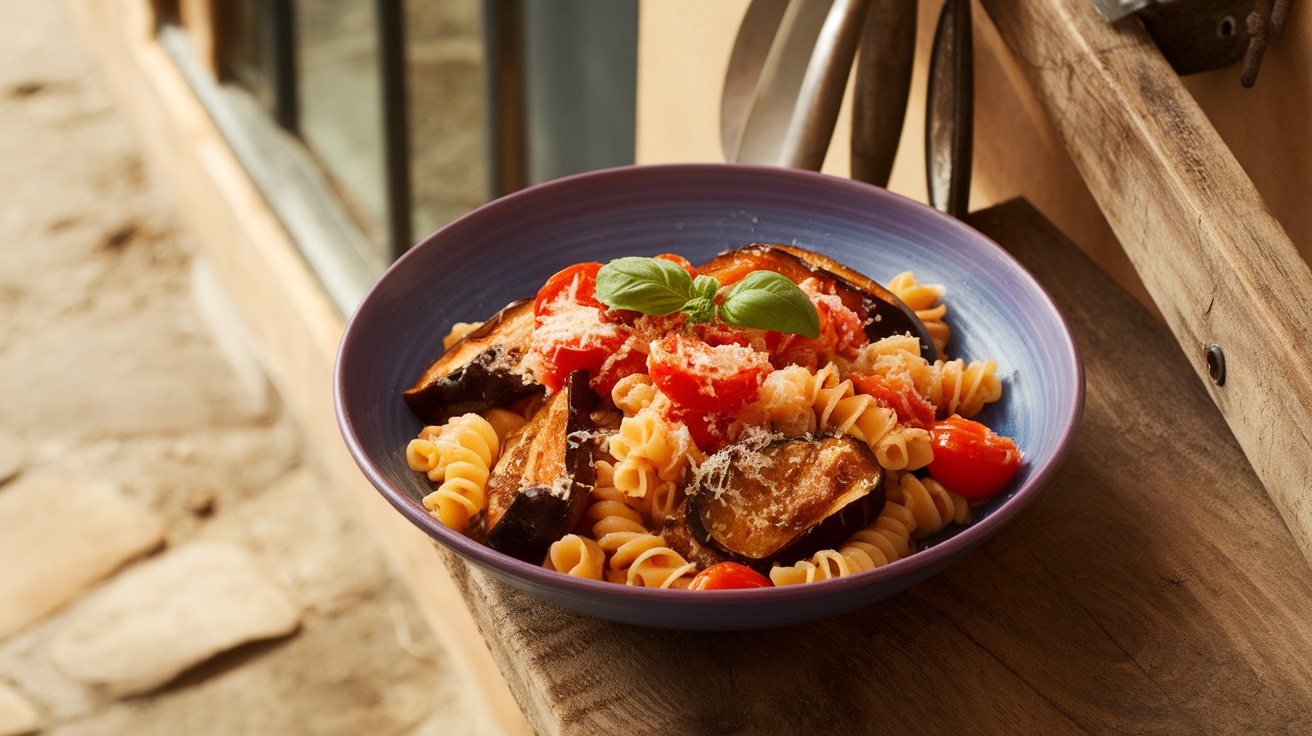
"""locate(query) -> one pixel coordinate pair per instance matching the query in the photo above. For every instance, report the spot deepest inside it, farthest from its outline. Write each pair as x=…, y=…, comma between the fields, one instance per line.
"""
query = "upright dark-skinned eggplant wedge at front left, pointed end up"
x=540, y=486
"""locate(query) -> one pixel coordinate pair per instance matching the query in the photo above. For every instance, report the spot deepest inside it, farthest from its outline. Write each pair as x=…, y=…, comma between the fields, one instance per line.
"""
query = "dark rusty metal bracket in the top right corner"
x=1199, y=36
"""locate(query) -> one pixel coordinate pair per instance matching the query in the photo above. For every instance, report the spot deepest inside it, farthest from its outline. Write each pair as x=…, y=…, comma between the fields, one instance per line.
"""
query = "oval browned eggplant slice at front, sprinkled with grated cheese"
x=785, y=501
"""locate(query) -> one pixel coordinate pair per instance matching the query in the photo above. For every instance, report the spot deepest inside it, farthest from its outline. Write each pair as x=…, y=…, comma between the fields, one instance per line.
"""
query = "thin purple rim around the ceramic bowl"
x=539, y=577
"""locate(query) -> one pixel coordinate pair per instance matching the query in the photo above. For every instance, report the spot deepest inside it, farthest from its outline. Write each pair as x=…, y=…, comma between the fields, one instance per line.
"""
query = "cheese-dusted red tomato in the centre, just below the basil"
x=707, y=380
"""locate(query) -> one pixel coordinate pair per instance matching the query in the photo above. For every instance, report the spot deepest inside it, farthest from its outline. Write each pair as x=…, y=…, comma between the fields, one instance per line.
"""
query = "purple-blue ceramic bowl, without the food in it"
x=507, y=249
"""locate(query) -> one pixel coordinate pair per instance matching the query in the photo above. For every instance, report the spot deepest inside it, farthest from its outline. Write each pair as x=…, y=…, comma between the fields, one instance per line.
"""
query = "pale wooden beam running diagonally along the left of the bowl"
x=284, y=306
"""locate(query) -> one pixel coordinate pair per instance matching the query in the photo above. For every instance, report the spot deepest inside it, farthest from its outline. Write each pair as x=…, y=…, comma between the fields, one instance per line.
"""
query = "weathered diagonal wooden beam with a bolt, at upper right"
x=1216, y=262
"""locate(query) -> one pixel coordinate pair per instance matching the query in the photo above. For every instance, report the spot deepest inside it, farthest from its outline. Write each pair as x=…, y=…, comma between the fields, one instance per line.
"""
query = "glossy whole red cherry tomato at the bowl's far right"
x=972, y=460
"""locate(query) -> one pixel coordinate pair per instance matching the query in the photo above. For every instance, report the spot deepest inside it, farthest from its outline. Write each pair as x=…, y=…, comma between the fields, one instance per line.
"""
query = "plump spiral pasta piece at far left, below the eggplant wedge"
x=460, y=456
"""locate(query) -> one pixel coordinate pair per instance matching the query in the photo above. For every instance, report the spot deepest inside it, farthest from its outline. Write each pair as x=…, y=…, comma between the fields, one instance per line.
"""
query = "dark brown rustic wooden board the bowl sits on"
x=1150, y=588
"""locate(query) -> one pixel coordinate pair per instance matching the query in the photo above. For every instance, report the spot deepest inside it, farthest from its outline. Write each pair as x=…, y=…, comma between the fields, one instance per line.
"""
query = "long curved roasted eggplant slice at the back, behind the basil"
x=880, y=309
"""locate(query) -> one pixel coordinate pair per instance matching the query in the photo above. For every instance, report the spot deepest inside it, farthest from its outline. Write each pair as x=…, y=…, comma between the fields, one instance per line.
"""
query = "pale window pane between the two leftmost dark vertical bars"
x=340, y=104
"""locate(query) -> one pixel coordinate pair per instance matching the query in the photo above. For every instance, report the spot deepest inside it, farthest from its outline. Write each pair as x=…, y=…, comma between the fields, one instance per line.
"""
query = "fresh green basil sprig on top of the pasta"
x=654, y=287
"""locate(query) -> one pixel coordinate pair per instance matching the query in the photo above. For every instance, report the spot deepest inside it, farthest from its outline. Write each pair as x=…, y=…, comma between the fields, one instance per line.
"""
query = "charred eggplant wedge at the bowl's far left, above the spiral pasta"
x=483, y=371
